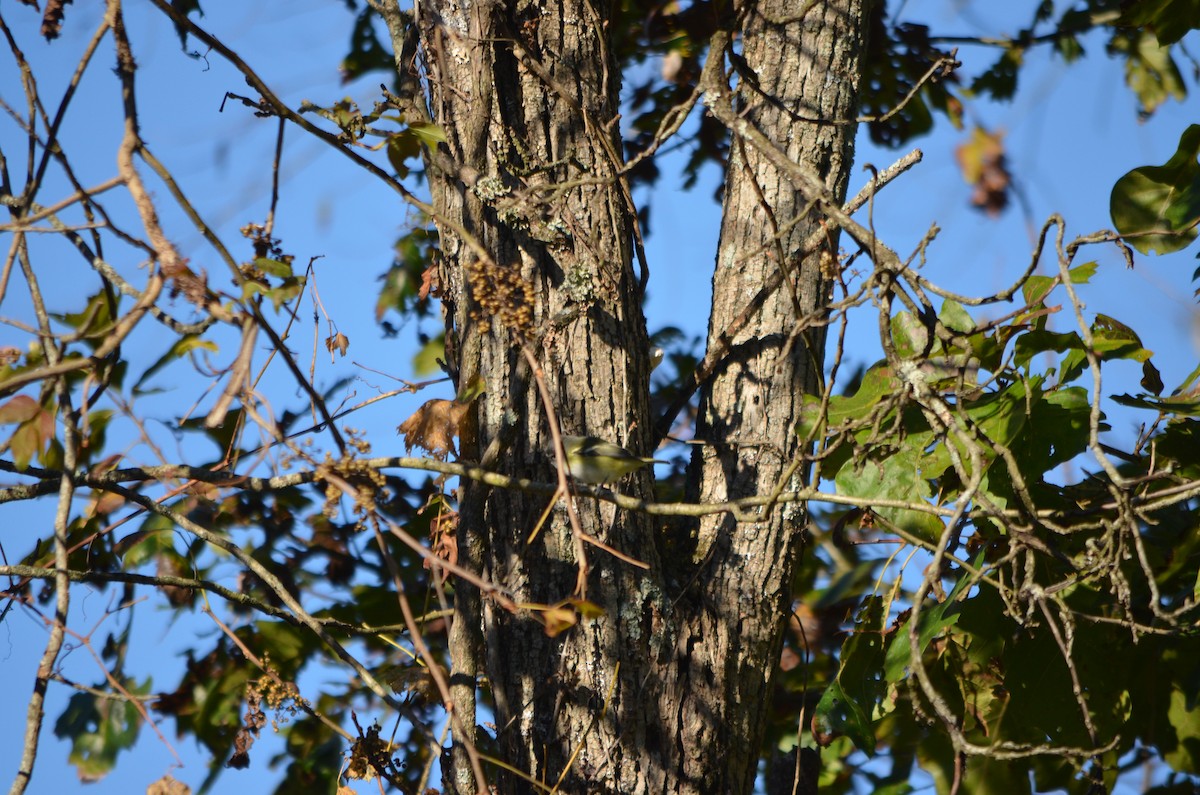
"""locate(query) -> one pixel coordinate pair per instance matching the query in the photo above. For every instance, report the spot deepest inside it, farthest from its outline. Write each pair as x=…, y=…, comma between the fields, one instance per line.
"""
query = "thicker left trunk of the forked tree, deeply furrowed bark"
x=529, y=103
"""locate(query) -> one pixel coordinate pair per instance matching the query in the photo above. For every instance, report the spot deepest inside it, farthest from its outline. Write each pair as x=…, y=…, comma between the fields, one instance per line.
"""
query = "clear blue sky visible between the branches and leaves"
x=1072, y=133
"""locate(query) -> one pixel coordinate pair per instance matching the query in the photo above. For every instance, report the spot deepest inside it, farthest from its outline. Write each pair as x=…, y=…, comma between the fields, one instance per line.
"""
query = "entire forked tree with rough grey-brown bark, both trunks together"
x=665, y=694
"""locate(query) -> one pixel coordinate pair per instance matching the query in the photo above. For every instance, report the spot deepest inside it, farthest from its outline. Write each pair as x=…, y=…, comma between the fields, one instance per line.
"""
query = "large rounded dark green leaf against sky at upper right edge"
x=1160, y=206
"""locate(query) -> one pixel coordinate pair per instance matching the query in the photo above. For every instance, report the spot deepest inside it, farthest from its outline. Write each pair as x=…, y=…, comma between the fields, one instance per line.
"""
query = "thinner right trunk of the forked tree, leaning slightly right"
x=800, y=86
